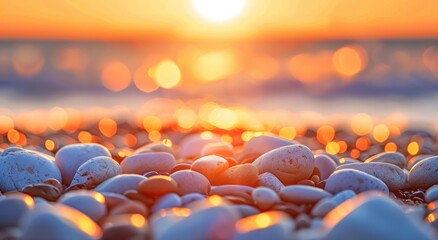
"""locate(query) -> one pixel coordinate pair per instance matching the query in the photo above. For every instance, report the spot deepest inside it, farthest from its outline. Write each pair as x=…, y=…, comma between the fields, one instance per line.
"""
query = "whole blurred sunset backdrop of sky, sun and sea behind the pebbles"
x=226, y=63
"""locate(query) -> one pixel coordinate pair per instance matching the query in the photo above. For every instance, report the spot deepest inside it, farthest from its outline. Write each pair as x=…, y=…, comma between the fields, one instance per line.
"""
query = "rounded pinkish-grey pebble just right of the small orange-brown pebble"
x=189, y=181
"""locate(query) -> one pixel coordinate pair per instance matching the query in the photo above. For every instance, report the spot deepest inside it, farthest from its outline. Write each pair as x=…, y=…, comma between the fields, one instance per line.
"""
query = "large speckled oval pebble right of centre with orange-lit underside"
x=289, y=164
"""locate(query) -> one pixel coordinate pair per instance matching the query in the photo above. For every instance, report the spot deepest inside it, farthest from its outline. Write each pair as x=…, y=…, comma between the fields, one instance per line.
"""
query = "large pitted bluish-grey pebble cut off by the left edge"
x=20, y=167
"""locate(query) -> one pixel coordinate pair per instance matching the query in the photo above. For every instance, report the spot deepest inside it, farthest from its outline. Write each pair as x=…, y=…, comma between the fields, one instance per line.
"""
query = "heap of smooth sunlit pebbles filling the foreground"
x=271, y=188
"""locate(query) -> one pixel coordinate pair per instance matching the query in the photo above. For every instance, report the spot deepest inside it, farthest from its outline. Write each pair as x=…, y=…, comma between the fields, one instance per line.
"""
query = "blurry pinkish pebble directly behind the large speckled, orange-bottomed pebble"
x=259, y=145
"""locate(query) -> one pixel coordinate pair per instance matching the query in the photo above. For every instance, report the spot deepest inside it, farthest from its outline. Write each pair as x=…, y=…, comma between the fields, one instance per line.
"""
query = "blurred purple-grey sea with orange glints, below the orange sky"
x=393, y=76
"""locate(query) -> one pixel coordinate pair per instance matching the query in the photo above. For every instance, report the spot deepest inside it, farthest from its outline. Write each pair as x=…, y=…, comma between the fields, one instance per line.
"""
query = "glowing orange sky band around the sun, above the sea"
x=265, y=19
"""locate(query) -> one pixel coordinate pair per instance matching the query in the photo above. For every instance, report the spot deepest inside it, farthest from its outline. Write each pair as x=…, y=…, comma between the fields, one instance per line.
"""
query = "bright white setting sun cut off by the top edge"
x=219, y=10
